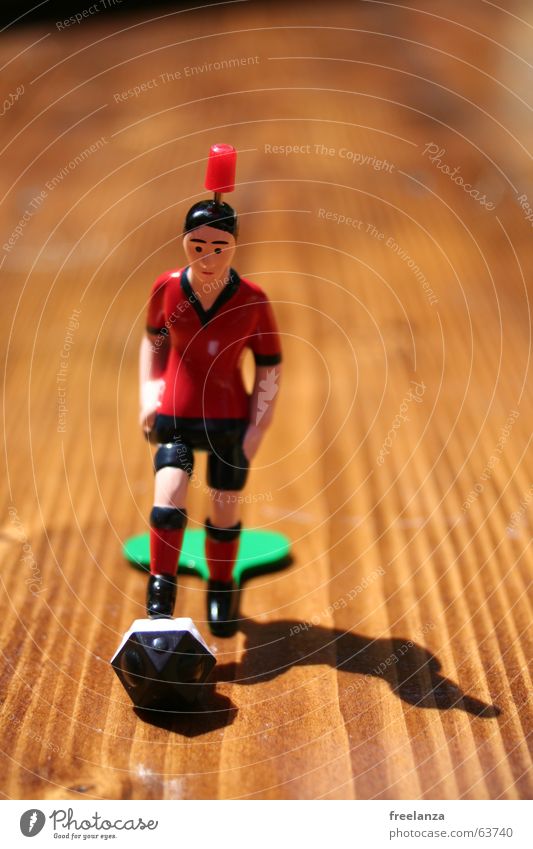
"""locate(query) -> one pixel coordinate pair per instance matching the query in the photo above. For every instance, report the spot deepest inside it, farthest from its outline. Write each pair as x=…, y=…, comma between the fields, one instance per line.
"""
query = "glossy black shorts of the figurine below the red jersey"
x=227, y=466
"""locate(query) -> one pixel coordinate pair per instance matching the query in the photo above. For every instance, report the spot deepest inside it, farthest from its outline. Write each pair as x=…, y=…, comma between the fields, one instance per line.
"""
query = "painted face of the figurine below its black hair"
x=209, y=252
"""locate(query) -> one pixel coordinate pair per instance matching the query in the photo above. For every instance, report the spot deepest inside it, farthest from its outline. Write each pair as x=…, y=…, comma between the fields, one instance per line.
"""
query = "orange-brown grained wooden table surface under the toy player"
x=383, y=180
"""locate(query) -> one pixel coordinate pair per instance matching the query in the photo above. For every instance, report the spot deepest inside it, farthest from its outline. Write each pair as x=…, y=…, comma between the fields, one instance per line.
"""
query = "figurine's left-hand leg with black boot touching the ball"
x=173, y=464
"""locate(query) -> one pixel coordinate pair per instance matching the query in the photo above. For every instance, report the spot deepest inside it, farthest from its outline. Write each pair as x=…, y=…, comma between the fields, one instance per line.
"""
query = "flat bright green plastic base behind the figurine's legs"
x=259, y=552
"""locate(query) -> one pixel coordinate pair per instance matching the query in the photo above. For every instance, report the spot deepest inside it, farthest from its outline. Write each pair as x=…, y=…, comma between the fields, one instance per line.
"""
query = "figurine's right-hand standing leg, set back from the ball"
x=227, y=473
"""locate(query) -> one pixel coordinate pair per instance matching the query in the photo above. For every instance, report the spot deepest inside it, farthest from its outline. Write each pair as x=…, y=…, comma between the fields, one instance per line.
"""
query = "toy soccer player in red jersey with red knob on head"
x=200, y=320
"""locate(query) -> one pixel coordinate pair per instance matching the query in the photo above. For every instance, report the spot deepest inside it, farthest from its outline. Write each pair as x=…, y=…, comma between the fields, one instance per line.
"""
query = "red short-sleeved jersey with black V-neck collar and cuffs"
x=203, y=376
